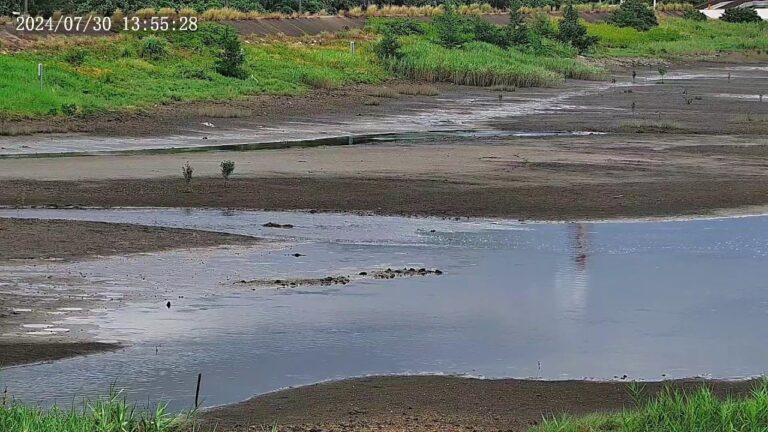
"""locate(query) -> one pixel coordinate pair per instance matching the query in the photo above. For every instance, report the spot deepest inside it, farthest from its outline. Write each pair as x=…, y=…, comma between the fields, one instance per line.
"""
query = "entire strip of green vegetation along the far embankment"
x=85, y=76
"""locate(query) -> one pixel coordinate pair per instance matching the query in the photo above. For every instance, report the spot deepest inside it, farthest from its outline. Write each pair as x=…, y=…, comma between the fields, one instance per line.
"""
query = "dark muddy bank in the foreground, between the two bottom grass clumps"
x=433, y=403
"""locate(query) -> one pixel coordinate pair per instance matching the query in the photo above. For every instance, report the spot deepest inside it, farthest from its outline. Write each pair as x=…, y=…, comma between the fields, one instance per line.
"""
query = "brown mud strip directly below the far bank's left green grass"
x=185, y=117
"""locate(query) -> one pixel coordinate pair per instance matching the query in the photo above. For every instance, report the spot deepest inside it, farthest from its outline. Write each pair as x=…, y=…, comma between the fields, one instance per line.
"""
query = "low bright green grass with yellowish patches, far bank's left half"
x=113, y=76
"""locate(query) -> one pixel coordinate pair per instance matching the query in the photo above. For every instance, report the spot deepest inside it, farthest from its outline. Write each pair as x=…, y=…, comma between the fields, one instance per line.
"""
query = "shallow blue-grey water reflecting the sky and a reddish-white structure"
x=583, y=300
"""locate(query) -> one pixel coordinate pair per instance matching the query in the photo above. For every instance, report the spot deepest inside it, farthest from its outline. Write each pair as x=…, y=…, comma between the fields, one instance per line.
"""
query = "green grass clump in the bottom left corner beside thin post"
x=111, y=414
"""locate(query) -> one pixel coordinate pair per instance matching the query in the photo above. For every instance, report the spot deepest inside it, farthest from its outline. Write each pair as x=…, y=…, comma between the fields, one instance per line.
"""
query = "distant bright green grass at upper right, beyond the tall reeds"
x=677, y=38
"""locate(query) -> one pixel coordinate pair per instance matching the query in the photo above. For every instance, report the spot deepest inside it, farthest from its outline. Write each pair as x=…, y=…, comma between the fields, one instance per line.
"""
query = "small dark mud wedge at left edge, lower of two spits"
x=17, y=353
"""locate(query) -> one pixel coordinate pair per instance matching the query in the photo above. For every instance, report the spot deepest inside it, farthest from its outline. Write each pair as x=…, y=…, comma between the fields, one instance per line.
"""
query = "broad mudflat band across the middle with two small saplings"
x=564, y=178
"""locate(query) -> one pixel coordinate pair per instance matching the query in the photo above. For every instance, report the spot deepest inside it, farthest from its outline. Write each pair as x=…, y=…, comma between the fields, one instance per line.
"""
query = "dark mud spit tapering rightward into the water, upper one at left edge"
x=59, y=239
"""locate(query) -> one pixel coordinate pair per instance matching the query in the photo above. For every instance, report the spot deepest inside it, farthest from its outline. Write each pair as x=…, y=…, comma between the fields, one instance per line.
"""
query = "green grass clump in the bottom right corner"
x=672, y=410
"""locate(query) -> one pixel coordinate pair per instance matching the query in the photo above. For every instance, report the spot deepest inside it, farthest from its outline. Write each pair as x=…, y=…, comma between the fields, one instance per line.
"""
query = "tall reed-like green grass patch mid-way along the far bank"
x=483, y=64
